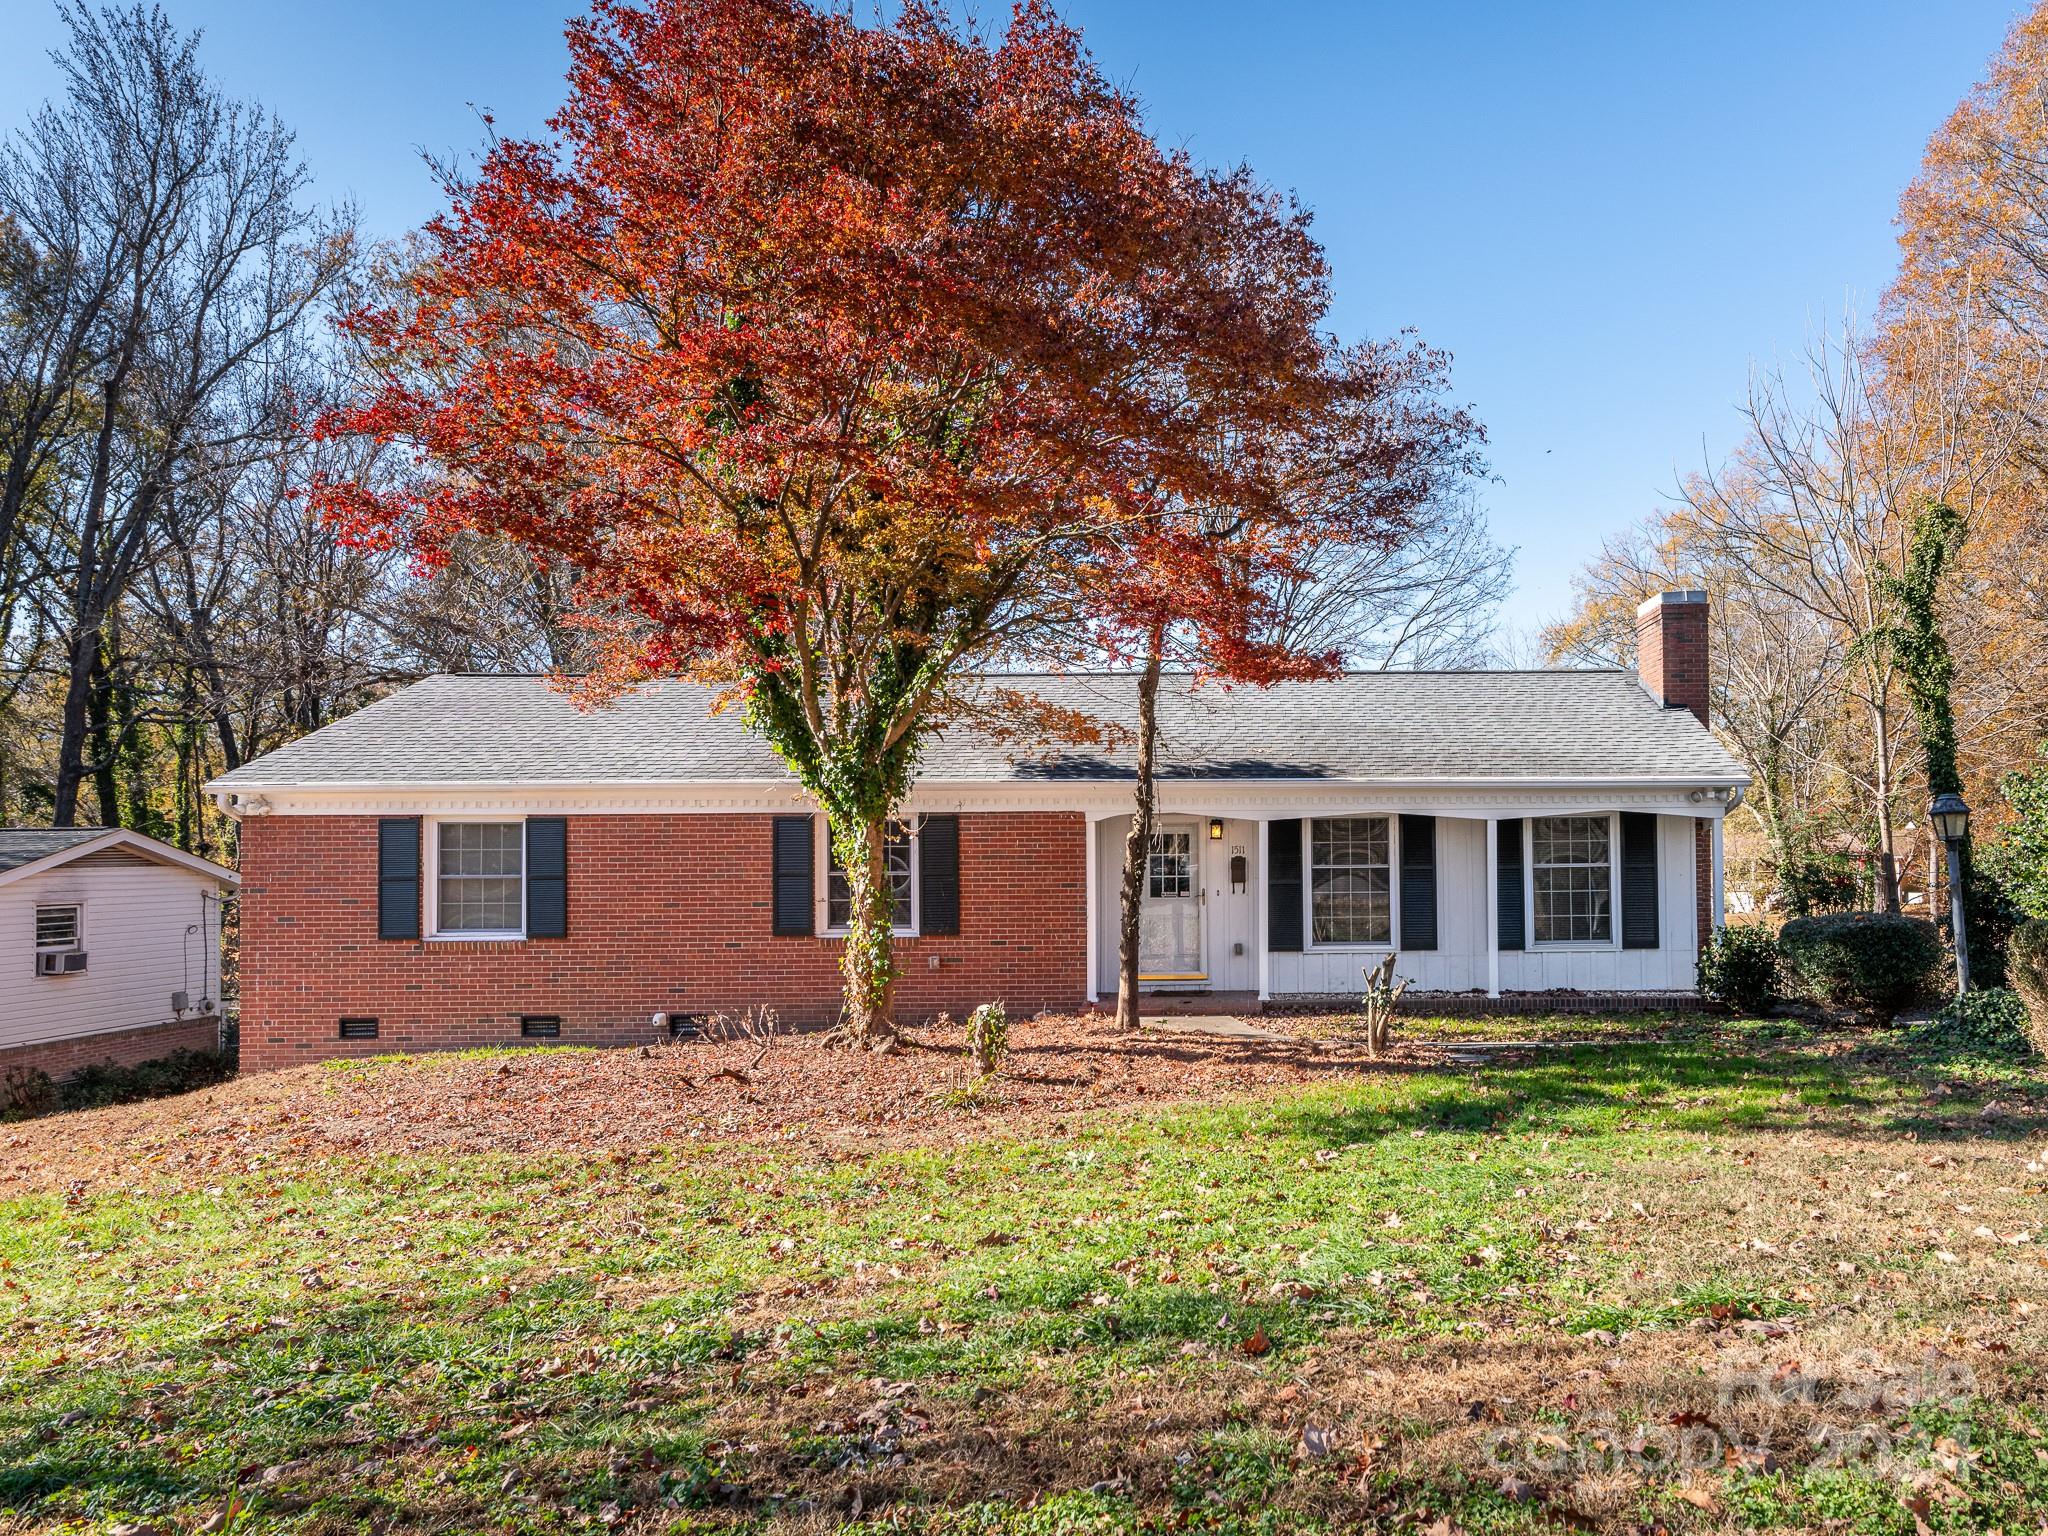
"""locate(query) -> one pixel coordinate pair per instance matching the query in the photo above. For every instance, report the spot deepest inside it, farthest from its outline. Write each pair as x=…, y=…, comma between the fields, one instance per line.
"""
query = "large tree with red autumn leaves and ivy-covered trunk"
x=845, y=359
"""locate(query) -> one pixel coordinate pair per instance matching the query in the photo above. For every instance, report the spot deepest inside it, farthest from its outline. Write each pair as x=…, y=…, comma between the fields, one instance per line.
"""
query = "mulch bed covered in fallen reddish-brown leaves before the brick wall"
x=620, y=1101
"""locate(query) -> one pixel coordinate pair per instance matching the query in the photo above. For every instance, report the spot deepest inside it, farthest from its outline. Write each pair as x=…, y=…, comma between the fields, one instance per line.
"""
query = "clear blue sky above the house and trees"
x=1607, y=212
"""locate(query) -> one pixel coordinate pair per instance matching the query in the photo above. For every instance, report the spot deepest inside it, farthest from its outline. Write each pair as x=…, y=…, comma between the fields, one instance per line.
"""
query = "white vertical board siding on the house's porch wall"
x=1459, y=962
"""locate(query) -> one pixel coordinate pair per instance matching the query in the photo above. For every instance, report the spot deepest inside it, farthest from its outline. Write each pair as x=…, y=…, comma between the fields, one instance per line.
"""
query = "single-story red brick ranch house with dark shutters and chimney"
x=474, y=861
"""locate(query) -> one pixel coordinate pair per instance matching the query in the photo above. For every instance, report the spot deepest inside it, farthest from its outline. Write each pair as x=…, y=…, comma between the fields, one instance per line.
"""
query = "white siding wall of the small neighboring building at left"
x=146, y=929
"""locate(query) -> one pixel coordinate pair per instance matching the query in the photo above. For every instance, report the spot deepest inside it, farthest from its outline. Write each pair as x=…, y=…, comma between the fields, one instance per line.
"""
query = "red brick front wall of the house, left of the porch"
x=667, y=914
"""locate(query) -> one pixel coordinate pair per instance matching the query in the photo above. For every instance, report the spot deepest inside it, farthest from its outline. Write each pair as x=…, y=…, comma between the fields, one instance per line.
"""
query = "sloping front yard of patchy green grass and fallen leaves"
x=1732, y=1279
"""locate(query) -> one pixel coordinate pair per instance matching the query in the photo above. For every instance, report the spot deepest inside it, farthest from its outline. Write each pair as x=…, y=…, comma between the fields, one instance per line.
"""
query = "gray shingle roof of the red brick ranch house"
x=1367, y=726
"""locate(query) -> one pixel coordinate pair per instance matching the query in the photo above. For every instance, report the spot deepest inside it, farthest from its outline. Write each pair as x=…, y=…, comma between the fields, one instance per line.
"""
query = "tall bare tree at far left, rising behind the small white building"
x=196, y=267
